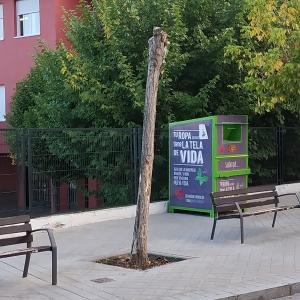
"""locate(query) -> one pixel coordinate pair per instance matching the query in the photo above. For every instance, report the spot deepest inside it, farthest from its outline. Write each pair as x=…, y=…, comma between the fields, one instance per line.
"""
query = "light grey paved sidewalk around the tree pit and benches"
x=213, y=269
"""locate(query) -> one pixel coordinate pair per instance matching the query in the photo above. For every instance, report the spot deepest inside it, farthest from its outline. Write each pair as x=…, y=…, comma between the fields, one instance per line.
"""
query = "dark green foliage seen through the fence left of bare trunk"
x=72, y=155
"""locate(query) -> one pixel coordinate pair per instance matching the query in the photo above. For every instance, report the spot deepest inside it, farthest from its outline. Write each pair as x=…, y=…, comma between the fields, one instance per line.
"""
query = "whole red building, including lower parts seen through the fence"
x=23, y=24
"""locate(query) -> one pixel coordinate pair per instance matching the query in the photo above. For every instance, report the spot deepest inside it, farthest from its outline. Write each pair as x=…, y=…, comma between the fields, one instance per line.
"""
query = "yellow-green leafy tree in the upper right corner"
x=268, y=54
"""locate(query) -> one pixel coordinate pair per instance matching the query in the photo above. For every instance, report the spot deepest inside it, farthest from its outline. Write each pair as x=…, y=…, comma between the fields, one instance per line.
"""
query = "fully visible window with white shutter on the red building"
x=28, y=17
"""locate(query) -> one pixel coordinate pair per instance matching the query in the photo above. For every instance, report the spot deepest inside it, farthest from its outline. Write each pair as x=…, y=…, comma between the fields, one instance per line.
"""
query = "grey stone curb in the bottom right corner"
x=268, y=294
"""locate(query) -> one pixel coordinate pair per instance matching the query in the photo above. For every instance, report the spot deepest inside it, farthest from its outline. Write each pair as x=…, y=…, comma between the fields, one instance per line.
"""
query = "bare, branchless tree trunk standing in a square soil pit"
x=157, y=51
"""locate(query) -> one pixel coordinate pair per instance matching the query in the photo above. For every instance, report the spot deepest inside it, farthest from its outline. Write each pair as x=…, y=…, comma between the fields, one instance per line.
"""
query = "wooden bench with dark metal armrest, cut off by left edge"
x=17, y=230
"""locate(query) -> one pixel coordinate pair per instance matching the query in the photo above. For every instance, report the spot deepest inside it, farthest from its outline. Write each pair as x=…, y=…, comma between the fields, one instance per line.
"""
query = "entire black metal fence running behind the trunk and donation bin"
x=47, y=171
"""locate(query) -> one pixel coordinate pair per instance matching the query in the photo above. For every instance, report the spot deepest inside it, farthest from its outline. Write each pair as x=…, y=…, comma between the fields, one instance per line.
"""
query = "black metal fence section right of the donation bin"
x=274, y=155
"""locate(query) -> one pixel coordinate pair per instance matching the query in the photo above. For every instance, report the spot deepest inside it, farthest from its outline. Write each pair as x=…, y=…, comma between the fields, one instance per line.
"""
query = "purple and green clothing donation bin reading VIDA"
x=206, y=155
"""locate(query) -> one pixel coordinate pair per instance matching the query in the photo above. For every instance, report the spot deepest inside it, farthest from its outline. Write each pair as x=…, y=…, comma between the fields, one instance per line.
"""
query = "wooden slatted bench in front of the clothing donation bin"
x=237, y=204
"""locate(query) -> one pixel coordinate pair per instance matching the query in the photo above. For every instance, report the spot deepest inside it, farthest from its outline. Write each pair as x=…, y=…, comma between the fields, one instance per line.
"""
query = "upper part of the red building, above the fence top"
x=23, y=23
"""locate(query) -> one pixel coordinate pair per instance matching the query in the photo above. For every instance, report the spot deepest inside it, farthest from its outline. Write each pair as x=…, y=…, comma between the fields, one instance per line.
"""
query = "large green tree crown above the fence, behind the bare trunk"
x=100, y=81
